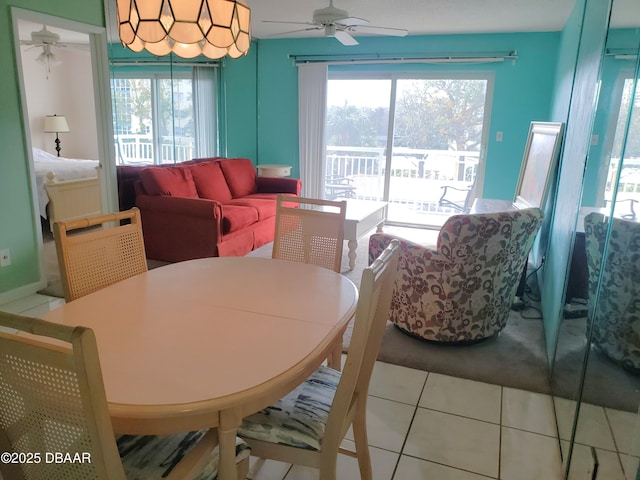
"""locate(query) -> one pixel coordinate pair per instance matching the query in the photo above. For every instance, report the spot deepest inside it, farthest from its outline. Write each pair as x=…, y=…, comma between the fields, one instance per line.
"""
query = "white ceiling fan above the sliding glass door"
x=338, y=24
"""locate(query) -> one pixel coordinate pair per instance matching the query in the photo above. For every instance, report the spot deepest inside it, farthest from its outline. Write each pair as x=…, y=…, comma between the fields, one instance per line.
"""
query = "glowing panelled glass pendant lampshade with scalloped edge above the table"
x=188, y=28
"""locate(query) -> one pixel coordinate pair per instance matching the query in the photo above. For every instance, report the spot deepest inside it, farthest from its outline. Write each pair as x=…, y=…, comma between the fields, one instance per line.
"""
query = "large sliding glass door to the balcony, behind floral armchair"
x=404, y=139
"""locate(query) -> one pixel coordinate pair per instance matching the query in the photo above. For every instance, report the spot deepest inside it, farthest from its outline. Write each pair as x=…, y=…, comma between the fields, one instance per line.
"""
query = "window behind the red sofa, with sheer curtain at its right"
x=155, y=115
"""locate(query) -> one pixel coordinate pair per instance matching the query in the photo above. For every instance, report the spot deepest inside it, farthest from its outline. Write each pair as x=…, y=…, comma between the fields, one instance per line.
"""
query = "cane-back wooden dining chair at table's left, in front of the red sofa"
x=97, y=251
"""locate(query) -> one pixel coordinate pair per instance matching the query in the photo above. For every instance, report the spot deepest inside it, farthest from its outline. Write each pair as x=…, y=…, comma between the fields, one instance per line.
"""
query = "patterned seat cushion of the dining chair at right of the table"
x=298, y=419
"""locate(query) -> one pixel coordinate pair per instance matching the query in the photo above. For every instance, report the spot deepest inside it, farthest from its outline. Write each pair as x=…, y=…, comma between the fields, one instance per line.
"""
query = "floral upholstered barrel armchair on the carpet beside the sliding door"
x=462, y=290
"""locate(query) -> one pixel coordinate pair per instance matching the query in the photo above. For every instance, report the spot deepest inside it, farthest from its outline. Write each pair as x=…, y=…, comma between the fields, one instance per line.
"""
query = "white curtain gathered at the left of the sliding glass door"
x=312, y=110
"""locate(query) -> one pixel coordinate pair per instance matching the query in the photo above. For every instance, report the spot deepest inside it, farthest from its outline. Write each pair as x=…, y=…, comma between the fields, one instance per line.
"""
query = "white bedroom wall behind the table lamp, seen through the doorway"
x=67, y=91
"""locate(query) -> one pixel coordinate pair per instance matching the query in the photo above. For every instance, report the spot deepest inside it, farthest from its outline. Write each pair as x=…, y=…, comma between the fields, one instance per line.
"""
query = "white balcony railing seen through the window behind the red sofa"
x=139, y=150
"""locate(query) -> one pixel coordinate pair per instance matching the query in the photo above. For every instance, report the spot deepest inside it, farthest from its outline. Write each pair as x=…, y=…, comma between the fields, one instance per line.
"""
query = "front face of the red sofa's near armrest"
x=177, y=229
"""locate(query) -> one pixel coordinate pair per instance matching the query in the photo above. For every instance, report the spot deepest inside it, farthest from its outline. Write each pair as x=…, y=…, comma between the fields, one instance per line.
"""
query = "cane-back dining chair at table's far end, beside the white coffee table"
x=310, y=231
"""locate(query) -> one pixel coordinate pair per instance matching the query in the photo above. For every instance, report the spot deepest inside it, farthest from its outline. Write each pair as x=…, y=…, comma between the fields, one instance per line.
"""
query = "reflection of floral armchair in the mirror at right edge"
x=616, y=313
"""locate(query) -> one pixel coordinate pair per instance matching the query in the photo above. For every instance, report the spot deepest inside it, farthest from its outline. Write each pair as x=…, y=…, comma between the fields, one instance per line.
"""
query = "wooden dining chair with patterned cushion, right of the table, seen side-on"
x=308, y=424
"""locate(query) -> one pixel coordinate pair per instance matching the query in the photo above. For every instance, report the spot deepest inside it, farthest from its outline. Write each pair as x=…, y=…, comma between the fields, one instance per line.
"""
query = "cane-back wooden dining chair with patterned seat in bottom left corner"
x=54, y=417
